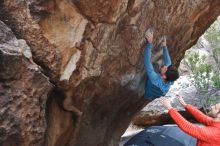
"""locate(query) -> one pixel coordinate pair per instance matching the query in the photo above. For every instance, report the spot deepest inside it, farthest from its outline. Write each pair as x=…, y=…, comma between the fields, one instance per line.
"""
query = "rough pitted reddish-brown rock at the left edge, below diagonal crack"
x=23, y=93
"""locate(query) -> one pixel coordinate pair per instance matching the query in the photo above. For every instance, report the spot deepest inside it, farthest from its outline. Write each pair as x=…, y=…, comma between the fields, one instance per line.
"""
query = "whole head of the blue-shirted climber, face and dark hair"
x=169, y=73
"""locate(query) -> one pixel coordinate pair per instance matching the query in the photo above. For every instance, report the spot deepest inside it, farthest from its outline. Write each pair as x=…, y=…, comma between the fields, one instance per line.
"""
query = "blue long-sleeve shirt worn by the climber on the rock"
x=155, y=86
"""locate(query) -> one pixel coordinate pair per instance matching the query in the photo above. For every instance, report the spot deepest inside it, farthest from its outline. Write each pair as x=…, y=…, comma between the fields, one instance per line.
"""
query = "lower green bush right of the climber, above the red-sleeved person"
x=203, y=78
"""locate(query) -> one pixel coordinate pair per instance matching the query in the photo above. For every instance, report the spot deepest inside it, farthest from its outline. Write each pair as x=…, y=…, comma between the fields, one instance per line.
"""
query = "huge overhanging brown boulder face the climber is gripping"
x=92, y=51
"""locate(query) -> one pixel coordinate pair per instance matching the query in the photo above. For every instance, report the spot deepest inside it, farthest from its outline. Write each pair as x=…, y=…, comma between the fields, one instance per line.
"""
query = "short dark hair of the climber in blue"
x=172, y=73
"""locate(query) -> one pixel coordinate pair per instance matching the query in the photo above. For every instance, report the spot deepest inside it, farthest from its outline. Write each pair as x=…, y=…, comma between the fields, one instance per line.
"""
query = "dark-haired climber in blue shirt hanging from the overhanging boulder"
x=158, y=84
